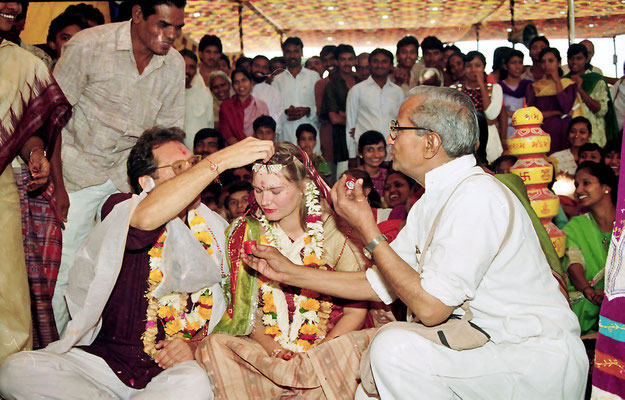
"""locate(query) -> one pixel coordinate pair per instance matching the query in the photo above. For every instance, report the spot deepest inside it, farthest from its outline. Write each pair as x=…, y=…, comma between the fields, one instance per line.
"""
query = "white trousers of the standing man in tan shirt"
x=84, y=210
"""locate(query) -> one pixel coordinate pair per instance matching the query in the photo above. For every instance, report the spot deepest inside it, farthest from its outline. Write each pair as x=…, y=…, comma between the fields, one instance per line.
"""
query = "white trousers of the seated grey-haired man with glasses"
x=407, y=366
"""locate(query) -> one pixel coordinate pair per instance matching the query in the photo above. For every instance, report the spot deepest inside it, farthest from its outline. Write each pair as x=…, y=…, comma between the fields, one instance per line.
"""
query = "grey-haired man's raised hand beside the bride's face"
x=351, y=205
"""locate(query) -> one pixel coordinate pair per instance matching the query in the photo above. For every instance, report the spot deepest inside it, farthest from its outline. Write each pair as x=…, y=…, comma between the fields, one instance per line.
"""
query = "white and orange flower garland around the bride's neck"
x=309, y=324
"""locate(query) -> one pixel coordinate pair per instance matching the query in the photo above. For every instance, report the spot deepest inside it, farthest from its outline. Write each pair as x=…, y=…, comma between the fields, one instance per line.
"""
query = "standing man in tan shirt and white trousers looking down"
x=121, y=79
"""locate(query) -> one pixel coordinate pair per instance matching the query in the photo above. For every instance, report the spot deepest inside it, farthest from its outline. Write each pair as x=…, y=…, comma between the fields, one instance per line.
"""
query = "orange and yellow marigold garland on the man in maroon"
x=171, y=308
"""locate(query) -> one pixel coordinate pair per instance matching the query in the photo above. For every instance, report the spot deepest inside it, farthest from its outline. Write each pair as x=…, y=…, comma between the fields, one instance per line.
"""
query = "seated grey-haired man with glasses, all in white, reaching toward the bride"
x=484, y=250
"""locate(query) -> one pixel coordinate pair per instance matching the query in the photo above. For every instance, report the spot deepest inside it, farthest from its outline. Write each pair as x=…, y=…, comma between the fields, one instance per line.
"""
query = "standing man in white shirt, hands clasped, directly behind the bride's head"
x=297, y=90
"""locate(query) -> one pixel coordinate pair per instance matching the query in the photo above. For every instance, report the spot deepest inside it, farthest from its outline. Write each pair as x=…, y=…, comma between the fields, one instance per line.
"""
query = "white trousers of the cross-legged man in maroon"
x=81, y=375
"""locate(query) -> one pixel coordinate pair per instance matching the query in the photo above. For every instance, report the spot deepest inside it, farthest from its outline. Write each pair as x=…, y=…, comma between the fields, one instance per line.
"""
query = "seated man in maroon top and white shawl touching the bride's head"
x=148, y=287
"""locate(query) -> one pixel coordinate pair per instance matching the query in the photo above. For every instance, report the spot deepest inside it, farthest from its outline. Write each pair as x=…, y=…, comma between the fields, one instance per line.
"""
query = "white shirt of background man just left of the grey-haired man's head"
x=370, y=107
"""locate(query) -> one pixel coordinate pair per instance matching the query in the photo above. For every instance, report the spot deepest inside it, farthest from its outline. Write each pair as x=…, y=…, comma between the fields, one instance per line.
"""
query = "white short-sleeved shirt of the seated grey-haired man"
x=513, y=296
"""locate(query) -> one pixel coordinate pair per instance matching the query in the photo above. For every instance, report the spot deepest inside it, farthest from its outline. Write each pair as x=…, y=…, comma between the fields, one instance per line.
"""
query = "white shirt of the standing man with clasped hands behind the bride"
x=298, y=91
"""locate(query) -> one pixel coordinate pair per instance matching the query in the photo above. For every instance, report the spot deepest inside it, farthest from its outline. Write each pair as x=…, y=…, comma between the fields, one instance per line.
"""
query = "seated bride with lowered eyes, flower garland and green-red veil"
x=282, y=329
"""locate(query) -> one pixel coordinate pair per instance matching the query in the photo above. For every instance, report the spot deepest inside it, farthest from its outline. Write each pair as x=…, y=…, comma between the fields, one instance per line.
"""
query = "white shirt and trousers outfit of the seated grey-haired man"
x=535, y=350
